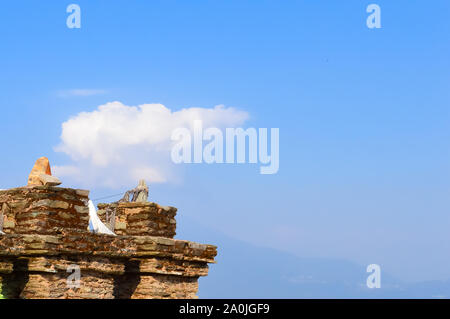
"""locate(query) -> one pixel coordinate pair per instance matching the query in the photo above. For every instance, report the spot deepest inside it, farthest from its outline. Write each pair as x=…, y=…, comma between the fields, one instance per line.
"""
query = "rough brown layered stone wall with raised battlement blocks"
x=46, y=232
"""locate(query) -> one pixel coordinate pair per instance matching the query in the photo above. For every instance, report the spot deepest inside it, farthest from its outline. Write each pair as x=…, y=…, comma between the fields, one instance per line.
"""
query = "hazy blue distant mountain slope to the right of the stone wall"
x=247, y=271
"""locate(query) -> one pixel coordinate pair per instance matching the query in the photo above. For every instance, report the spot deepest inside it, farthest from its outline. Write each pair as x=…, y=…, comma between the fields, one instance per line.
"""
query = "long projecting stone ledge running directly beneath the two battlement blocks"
x=84, y=243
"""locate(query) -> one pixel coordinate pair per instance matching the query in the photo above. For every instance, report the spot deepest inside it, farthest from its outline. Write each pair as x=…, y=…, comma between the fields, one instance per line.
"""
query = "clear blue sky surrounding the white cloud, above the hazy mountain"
x=363, y=114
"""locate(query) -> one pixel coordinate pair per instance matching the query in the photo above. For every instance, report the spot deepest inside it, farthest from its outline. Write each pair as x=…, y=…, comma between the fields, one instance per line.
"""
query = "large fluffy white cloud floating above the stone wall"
x=116, y=145
